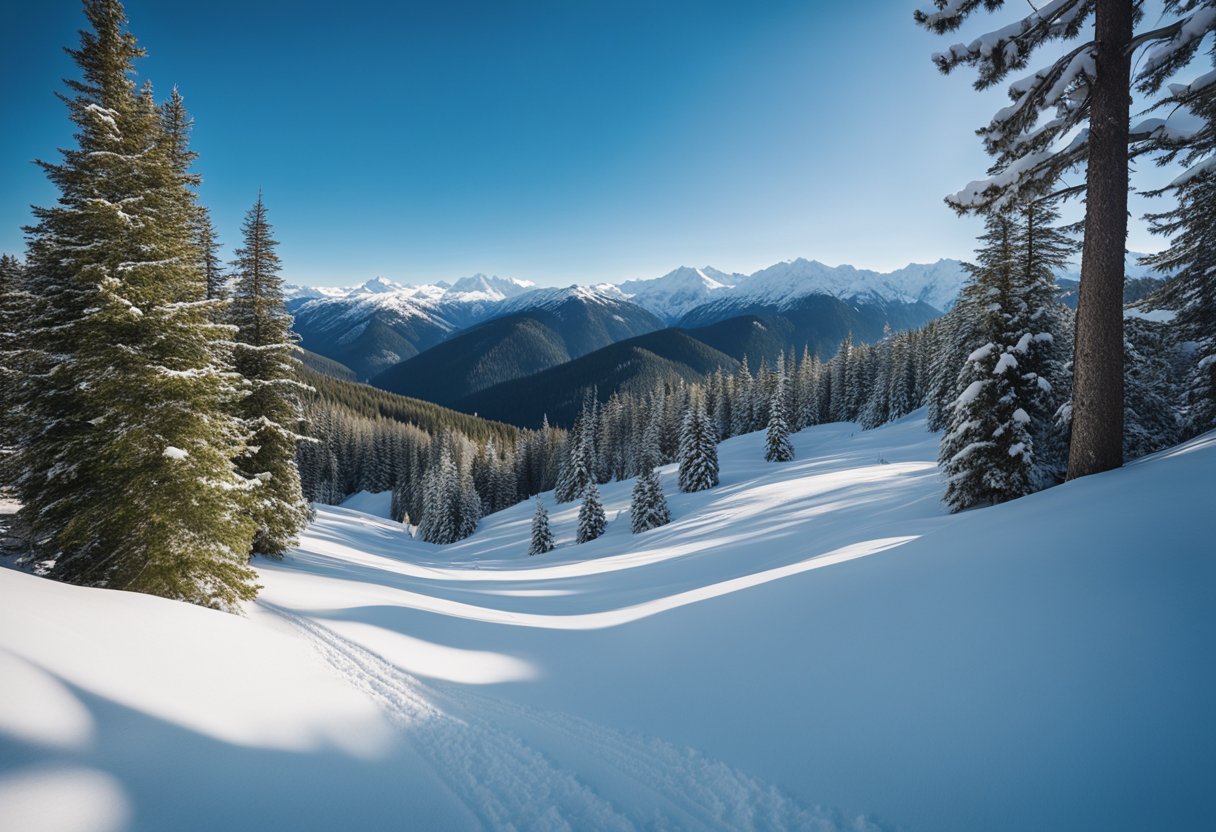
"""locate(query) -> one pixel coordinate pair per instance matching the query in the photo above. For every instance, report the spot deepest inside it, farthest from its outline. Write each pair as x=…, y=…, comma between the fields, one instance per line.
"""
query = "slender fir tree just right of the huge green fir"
x=271, y=409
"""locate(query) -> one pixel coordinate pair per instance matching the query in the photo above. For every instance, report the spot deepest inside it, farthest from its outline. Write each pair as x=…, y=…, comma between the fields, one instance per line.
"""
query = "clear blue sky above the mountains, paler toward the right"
x=558, y=140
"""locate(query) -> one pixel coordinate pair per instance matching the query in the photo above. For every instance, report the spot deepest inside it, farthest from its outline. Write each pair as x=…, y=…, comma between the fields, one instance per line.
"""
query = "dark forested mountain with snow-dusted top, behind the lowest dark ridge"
x=553, y=328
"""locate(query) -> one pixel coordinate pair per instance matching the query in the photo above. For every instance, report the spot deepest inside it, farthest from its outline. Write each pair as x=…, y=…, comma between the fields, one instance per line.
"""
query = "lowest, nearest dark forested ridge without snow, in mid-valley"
x=638, y=364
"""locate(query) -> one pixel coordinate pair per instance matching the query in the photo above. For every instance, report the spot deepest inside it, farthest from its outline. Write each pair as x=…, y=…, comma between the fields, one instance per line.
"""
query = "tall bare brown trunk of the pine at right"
x=1099, y=368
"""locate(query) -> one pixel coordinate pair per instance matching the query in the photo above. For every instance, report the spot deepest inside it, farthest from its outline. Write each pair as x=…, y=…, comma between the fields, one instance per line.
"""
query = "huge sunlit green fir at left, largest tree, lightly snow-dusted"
x=127, y=441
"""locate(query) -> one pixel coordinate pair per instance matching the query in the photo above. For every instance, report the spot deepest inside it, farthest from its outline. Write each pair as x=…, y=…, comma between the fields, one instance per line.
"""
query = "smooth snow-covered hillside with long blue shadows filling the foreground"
x=812, y=645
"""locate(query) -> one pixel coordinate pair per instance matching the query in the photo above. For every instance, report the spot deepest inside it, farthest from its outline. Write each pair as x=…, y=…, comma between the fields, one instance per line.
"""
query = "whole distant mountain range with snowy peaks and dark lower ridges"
x=511, y=351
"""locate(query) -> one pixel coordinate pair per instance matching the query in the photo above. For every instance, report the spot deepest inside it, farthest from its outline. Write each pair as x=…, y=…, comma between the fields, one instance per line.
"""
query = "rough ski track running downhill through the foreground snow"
x=510, y=785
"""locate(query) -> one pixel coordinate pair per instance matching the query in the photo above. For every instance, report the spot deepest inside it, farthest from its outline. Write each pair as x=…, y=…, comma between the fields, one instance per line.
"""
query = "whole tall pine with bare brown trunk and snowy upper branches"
x=1089, y=93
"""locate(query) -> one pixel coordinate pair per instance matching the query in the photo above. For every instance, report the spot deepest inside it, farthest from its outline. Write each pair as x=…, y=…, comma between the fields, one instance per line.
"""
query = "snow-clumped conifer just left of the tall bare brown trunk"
x=988, y=451
